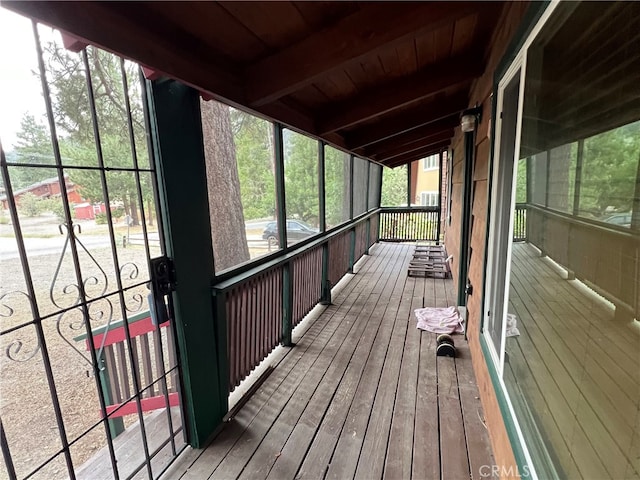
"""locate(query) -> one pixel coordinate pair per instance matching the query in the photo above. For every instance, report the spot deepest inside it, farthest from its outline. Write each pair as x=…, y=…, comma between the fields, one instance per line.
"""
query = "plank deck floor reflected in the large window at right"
x=575, y=371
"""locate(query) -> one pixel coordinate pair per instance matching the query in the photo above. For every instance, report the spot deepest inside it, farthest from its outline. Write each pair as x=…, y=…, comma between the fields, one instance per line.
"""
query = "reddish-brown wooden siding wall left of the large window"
x=481, y=94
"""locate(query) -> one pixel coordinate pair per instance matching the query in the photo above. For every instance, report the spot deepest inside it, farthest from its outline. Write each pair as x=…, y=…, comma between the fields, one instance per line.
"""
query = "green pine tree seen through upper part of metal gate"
x=66, y=74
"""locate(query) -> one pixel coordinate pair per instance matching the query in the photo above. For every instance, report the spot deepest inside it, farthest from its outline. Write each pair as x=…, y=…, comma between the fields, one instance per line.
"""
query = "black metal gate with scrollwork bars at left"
x=89, y=376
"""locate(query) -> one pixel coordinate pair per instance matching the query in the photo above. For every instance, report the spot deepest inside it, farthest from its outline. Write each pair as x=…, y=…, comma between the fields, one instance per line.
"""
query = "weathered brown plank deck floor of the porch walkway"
x=361, y=395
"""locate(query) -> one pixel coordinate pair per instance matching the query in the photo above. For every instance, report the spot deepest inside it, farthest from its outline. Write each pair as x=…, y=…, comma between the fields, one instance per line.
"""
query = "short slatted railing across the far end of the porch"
x=409, y=224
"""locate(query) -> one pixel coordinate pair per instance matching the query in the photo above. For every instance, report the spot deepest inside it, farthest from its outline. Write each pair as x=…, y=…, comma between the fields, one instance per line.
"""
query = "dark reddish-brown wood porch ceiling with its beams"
x=384, y=80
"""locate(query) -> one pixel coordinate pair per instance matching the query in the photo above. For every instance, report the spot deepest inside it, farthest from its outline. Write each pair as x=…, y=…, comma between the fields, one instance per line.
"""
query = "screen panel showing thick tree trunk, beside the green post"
x=241, y=182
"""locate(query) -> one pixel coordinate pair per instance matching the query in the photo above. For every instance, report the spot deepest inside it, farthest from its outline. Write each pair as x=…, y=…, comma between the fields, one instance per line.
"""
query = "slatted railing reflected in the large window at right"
x=605, y=258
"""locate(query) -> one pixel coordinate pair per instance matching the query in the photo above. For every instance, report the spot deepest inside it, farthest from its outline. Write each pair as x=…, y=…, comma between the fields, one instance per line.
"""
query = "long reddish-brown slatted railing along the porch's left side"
x=258, y=307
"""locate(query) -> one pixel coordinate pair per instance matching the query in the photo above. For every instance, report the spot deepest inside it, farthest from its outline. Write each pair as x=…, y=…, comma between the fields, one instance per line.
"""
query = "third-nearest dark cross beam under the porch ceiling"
x=446, y=109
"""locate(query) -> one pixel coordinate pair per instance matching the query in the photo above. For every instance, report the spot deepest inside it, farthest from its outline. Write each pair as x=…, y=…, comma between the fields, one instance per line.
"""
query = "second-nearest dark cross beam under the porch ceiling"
x=399, y=93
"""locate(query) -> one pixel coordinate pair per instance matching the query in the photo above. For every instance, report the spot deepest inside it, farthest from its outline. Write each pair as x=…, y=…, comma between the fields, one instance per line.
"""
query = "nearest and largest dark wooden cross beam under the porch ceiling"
x=374, y=27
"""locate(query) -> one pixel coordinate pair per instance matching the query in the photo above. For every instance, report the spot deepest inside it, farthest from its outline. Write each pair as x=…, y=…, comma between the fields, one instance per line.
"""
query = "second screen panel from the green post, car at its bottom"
x=301, y=185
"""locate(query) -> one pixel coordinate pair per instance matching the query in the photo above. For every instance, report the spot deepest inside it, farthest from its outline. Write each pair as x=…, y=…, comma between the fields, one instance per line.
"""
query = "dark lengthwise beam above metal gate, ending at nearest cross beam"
x=125, y=29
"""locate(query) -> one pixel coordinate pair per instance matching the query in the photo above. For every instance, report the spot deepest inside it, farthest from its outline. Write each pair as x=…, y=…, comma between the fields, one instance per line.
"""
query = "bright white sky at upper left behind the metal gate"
x=20, y=90
